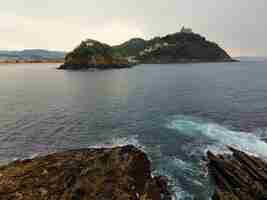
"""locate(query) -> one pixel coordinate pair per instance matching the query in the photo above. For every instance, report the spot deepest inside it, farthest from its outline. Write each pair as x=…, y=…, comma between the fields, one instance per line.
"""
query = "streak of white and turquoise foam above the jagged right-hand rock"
x=219, y=136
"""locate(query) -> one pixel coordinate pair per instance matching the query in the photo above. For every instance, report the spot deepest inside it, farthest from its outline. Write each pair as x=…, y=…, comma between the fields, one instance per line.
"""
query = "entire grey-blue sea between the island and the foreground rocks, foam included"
x=175, y=113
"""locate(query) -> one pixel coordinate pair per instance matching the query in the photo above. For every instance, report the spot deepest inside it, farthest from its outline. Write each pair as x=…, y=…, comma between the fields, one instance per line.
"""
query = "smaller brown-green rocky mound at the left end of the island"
x=93, y=54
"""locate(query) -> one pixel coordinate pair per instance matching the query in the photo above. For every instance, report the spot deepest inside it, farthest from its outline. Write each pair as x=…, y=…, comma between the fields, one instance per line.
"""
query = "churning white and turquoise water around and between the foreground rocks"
x=187, y=171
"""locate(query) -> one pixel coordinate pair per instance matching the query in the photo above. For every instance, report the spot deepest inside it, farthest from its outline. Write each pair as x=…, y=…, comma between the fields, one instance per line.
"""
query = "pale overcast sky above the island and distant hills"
x=239, y=26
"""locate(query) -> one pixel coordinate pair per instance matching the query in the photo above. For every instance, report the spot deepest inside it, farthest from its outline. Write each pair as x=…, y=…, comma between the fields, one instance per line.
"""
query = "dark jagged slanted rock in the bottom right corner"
x=238, y=177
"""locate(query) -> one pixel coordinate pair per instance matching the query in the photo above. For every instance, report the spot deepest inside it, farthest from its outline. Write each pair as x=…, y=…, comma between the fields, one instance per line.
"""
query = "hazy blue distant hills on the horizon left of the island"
x=32, y=54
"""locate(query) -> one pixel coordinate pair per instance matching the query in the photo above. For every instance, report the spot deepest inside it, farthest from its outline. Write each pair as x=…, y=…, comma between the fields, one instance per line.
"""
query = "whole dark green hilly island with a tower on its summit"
x=184, y=46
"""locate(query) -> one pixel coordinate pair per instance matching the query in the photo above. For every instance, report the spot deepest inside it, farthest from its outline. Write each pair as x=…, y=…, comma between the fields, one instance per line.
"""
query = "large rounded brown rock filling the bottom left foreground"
x=120, y=173
